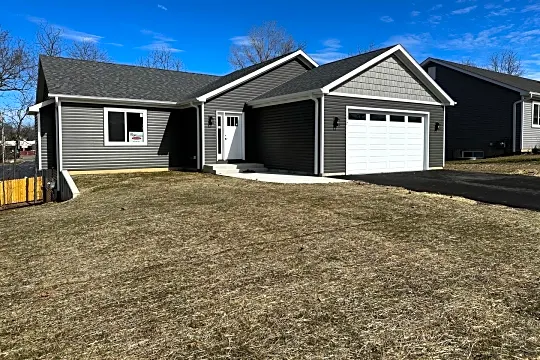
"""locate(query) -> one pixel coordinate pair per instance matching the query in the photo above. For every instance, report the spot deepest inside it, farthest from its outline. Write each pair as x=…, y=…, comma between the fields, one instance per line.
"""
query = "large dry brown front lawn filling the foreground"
x=196, y=266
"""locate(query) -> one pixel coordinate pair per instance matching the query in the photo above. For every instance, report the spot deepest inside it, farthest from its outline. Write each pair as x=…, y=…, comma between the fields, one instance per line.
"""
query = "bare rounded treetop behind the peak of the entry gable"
x=262, y=43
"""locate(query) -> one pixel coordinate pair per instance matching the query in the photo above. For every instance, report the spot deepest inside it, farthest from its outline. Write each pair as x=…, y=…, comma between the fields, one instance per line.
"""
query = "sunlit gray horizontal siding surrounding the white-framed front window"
x=83, y=141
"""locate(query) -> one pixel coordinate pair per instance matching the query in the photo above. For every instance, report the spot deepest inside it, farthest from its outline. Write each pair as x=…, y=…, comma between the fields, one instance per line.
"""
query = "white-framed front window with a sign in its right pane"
x=125, y=127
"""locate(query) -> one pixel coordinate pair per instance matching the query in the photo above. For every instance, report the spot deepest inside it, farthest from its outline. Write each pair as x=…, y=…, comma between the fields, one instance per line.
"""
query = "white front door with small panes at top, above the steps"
x=233, y=136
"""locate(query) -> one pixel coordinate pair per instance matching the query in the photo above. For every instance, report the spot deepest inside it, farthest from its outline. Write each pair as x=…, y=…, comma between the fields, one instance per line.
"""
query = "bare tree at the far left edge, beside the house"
x=17, y=66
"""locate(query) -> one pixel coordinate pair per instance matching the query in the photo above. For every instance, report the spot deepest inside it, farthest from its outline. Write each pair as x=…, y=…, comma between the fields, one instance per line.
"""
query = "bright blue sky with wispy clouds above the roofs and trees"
x=201, y=32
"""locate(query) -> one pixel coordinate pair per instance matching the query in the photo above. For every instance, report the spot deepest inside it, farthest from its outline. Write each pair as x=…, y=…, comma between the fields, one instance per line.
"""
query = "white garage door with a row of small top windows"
x=379, y=142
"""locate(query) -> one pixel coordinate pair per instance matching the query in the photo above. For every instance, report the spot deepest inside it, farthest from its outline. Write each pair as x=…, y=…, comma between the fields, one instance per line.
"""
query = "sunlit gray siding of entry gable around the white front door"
x=235, y=100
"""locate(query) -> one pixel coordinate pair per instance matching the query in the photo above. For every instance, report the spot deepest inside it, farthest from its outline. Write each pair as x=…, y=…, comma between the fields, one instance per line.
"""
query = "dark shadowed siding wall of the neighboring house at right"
x=482, y=117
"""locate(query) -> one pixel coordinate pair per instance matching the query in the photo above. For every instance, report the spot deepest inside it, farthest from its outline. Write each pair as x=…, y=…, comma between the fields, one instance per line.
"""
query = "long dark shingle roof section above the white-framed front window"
x=90, y=78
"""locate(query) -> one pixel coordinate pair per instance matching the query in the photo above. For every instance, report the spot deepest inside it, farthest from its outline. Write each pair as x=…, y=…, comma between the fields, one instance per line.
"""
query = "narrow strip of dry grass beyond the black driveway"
x=520, y=164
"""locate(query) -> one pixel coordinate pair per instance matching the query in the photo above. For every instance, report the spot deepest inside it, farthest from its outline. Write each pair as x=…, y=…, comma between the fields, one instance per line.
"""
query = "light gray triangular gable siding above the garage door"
x=389, y=78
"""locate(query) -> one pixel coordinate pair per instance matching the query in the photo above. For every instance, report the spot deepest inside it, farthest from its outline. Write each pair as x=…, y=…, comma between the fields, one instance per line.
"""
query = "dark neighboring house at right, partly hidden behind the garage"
x=495, y=114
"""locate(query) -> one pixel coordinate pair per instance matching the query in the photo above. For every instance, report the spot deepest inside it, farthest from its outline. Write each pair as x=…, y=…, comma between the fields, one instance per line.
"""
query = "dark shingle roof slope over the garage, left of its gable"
x=323, y=75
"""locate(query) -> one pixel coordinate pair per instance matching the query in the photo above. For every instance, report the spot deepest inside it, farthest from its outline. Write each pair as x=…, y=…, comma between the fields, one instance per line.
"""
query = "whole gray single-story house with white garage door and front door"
x=375, y=112
